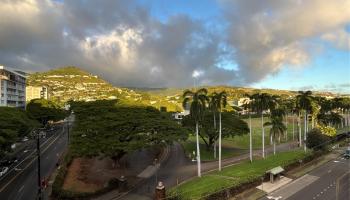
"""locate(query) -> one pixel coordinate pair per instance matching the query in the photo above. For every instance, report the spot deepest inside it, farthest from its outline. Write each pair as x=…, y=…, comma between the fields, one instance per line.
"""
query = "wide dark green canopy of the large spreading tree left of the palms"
x=111, y=129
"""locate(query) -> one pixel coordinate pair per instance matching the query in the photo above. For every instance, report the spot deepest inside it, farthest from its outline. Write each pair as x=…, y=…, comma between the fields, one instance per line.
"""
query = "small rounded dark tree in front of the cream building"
x=44, y=110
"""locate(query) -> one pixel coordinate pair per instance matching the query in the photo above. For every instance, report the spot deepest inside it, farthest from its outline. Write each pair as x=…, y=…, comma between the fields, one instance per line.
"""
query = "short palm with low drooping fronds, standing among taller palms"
x=277, y=126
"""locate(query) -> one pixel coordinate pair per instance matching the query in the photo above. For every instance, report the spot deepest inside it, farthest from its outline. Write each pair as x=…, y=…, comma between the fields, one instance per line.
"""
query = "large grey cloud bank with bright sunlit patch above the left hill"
x=115, y=39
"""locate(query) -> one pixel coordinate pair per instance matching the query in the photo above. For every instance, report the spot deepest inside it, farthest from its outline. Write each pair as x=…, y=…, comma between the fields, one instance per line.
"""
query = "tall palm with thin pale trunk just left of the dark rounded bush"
x=304, y=104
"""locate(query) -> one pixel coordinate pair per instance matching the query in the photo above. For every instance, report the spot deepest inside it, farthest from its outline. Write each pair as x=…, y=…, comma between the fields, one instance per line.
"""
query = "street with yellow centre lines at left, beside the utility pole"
x=21, y=180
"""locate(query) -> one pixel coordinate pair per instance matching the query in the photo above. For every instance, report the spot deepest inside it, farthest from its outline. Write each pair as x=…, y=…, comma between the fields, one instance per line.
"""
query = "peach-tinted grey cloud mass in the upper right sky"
x=268, y=35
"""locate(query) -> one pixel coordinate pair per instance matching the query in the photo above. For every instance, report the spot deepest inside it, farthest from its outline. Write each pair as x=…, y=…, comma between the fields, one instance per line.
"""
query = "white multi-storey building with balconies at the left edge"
x=12, y=87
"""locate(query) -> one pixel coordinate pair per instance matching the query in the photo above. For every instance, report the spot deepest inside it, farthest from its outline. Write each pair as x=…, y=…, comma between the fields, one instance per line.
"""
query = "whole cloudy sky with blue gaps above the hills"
x=290, y=44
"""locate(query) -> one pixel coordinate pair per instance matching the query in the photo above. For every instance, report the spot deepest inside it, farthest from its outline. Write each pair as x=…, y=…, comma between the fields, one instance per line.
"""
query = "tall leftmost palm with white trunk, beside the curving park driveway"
x=198, y=101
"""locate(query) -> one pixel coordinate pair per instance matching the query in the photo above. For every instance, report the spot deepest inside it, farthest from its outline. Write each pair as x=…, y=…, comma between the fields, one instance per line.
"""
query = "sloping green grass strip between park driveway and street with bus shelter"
x=235, y=175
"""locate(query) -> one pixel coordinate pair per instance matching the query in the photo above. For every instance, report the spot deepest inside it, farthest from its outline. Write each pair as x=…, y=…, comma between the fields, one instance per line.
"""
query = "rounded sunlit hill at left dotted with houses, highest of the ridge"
x=72, y=83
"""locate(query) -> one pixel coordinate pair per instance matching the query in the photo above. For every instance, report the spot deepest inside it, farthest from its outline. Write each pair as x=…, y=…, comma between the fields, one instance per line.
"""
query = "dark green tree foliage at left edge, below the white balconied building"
x=14, y=124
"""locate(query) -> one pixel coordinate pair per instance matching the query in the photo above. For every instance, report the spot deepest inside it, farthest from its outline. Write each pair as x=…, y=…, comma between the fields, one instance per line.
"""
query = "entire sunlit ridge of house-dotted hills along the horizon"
x=72, y=83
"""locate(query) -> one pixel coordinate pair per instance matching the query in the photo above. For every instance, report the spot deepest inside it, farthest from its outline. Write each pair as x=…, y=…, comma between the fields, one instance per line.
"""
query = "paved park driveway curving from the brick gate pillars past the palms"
x=179, y=168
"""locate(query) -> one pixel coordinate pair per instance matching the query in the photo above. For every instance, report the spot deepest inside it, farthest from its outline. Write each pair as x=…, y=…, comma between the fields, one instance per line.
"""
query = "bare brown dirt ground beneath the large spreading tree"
x=92, y=174
